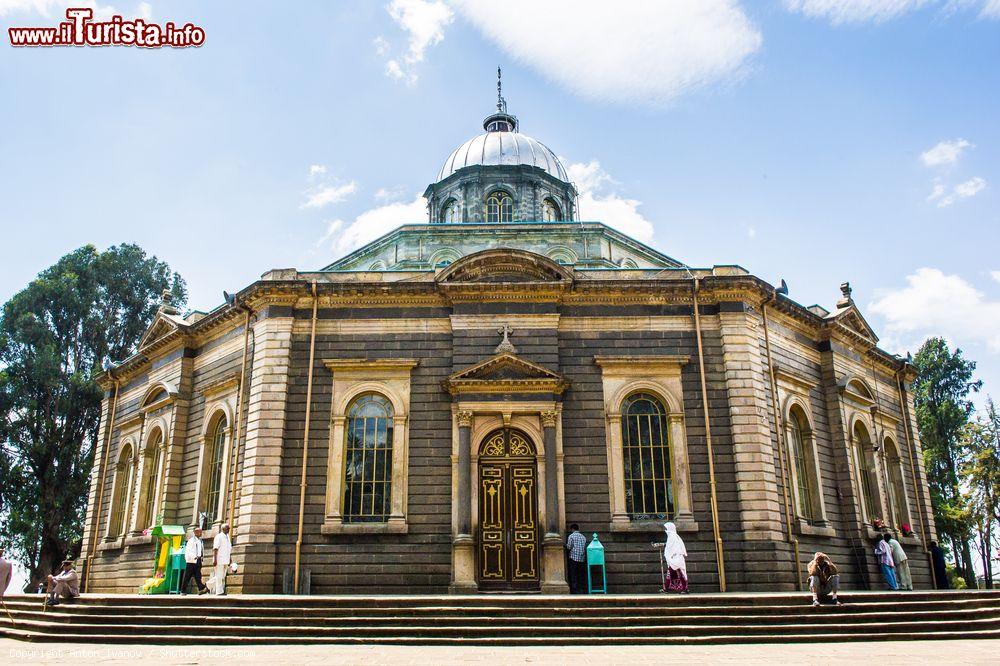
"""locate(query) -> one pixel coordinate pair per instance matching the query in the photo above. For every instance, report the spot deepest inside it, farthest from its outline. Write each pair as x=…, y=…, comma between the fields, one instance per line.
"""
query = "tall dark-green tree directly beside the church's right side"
x=941, y=393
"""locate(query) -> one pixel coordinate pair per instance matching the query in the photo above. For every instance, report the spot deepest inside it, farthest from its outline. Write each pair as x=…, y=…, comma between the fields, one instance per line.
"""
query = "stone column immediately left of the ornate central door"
x=463, y=565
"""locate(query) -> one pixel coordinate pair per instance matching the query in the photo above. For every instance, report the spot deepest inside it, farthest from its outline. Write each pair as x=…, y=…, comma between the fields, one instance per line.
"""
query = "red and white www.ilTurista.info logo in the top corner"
x=82, y=30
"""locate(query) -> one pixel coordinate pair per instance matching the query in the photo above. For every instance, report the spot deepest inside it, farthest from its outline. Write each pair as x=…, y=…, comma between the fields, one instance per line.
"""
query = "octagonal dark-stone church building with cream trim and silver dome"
x=429, y=413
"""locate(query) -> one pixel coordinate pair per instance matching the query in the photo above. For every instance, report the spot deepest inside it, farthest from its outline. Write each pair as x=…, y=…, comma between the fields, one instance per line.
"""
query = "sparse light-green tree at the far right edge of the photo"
x=980, y=470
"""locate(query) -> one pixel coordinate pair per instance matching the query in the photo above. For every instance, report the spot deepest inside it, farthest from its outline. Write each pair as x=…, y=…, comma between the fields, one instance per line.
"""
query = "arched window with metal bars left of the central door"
x=368, y=465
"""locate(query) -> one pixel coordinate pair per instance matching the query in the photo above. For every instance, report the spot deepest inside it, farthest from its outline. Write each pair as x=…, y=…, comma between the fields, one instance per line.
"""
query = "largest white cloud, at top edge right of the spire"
x=642, y=51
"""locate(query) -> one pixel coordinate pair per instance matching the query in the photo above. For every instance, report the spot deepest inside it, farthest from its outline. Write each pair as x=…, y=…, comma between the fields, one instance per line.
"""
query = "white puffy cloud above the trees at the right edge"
x=933, y=303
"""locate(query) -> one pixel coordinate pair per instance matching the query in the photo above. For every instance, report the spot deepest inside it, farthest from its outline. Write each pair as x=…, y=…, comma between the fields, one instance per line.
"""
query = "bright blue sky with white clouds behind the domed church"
x=812, y=140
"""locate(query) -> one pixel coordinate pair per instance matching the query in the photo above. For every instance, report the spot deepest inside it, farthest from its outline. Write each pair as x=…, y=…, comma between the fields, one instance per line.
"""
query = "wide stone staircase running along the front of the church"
x=505, y=619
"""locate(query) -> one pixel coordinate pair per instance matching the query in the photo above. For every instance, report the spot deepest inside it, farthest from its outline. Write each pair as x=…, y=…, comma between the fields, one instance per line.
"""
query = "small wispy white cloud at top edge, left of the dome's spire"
x=424, y=22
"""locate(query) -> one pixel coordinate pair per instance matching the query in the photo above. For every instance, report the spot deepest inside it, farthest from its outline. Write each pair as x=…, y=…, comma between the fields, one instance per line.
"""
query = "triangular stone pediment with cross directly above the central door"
x=505, y=372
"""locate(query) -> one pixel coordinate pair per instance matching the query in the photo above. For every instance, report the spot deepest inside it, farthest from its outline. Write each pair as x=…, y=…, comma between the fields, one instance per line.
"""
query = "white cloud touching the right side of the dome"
x=597, y=202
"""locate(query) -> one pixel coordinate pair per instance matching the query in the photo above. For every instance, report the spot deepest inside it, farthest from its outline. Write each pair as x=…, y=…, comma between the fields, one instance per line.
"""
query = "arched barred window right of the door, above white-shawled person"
x=649, y=490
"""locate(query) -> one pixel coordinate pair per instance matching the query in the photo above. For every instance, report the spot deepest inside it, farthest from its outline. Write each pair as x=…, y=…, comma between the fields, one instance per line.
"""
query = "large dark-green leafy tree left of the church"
x=54, y=337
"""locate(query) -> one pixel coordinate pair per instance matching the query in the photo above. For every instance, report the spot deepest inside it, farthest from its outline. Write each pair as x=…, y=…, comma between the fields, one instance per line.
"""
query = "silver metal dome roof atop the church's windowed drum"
x=493, y=148
